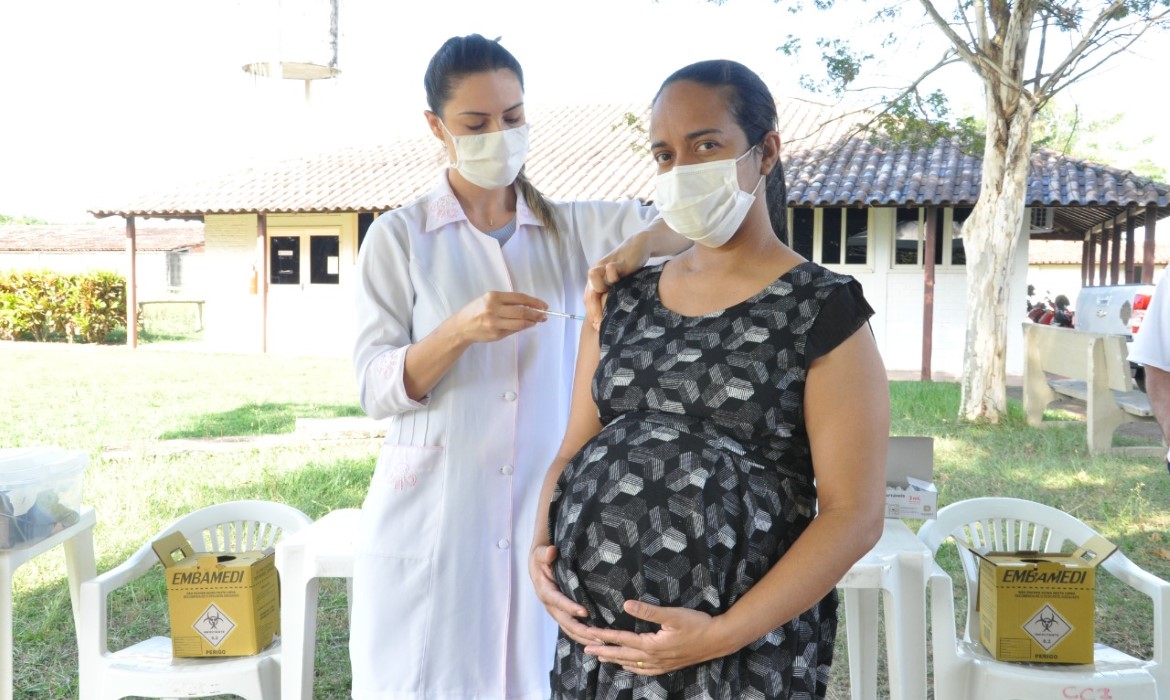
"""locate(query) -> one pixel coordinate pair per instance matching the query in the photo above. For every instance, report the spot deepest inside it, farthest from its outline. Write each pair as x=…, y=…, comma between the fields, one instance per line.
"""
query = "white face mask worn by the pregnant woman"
x=704, y=202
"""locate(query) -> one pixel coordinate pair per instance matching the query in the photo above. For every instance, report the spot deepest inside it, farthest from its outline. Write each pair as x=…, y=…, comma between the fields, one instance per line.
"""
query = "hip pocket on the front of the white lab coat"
x=403, y=511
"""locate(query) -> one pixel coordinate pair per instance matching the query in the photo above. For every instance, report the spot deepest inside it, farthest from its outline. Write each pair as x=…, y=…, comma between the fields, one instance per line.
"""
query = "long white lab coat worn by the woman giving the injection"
x=443, y=602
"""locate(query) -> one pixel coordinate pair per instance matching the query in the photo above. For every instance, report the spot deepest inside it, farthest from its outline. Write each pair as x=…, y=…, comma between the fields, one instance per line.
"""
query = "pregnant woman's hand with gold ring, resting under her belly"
x=685, y=639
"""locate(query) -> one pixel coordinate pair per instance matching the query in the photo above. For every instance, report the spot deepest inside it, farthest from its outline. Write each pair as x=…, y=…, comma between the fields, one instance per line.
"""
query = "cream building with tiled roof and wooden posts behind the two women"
x=857, y=205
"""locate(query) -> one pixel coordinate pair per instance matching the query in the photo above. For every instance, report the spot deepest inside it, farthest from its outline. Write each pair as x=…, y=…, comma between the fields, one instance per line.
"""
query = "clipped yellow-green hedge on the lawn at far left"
x=44, y=305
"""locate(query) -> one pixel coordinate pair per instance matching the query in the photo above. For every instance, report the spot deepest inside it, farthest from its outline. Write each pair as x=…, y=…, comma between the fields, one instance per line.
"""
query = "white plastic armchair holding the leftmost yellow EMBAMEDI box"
x=148, y=669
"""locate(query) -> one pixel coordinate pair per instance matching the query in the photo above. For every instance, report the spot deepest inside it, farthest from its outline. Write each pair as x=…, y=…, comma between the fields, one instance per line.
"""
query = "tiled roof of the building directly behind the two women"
x=594, y=152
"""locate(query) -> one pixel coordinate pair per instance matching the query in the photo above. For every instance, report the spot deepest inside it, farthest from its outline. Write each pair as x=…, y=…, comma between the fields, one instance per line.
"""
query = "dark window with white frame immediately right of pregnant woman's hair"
x=831, y=236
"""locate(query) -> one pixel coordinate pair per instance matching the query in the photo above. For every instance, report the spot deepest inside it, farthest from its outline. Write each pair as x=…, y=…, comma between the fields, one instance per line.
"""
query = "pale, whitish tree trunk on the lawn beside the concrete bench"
x=990, y=237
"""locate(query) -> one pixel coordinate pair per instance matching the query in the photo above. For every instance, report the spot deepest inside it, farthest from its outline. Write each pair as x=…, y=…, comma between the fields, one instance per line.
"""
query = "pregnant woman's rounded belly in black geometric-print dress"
x=664, y=517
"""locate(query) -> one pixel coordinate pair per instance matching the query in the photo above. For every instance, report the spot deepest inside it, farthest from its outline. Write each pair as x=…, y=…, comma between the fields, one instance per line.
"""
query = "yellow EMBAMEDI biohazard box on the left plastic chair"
x=221, y=606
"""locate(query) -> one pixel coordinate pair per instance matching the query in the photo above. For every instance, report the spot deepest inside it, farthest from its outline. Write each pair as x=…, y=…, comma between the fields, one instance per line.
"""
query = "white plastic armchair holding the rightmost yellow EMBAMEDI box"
x=963, y=668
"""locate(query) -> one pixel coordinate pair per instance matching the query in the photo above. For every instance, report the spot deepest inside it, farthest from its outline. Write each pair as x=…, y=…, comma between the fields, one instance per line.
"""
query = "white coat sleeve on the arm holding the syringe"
x=386, y=304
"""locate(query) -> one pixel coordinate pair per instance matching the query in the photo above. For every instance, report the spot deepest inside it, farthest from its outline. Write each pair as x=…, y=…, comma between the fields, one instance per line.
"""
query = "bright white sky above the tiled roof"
x=102, y=99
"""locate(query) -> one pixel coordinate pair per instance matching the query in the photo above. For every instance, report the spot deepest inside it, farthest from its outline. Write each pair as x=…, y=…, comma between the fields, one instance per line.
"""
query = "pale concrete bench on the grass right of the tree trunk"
x=1086, y=367
